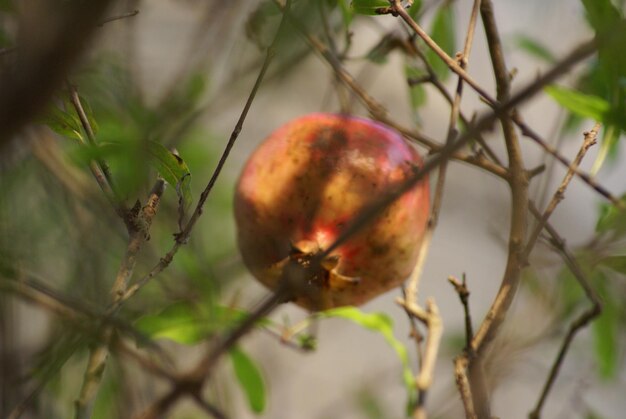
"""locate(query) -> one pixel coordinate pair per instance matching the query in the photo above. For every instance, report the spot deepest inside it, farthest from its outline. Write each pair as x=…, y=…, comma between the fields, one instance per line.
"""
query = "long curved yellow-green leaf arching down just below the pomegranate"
x=382, y=324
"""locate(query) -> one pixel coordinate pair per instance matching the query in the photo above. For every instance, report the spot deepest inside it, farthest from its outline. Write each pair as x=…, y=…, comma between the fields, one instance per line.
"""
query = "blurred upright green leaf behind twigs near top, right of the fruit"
x=443, y=33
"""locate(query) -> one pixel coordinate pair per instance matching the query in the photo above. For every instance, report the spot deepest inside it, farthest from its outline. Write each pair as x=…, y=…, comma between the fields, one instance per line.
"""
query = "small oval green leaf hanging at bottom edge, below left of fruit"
x=250, y=379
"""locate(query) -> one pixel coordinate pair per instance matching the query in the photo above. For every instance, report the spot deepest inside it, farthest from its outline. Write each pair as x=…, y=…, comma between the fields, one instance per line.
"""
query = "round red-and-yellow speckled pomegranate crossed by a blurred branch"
x=305, y=182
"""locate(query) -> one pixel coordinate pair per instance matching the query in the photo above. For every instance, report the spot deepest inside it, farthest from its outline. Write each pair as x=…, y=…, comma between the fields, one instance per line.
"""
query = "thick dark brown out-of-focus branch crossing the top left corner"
x=50, y=40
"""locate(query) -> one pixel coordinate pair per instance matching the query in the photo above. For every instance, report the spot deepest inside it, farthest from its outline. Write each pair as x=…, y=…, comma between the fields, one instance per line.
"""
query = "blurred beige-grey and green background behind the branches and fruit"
x=178, y=73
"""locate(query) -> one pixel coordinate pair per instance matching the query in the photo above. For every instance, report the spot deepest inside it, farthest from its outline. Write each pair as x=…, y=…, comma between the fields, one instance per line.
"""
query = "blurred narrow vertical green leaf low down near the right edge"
x=605, y=330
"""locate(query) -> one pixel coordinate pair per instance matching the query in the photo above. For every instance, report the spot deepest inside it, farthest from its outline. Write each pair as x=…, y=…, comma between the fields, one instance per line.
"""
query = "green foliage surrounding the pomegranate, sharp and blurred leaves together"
x=77, y=241
